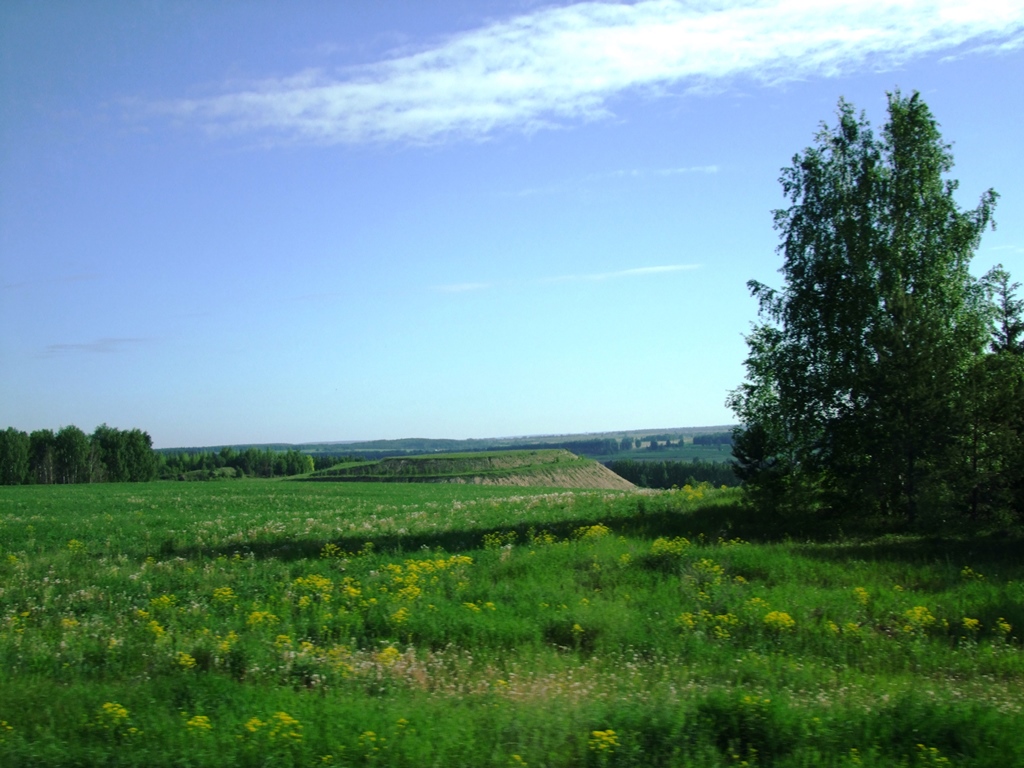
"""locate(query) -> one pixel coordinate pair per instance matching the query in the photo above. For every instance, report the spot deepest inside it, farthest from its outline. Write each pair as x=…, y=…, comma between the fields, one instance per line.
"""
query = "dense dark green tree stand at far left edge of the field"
x=70, y=456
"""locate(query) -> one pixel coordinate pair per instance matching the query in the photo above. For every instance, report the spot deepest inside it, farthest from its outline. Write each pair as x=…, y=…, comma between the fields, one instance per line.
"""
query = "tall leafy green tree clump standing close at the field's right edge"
x=883, y=378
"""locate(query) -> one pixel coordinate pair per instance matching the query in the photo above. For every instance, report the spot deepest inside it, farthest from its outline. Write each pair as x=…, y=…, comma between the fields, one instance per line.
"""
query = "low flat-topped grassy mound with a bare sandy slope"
x=556, y=468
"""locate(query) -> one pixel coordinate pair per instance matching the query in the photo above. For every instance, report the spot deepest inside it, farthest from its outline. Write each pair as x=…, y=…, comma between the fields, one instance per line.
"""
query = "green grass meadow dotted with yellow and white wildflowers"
x=273, y=623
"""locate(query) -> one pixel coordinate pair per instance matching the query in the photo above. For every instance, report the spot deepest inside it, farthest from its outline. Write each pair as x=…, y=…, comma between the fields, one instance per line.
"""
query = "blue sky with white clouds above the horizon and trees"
x=297, y=222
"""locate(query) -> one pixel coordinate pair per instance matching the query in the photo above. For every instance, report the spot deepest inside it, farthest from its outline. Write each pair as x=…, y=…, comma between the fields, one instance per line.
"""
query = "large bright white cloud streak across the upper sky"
x=568, y=64
